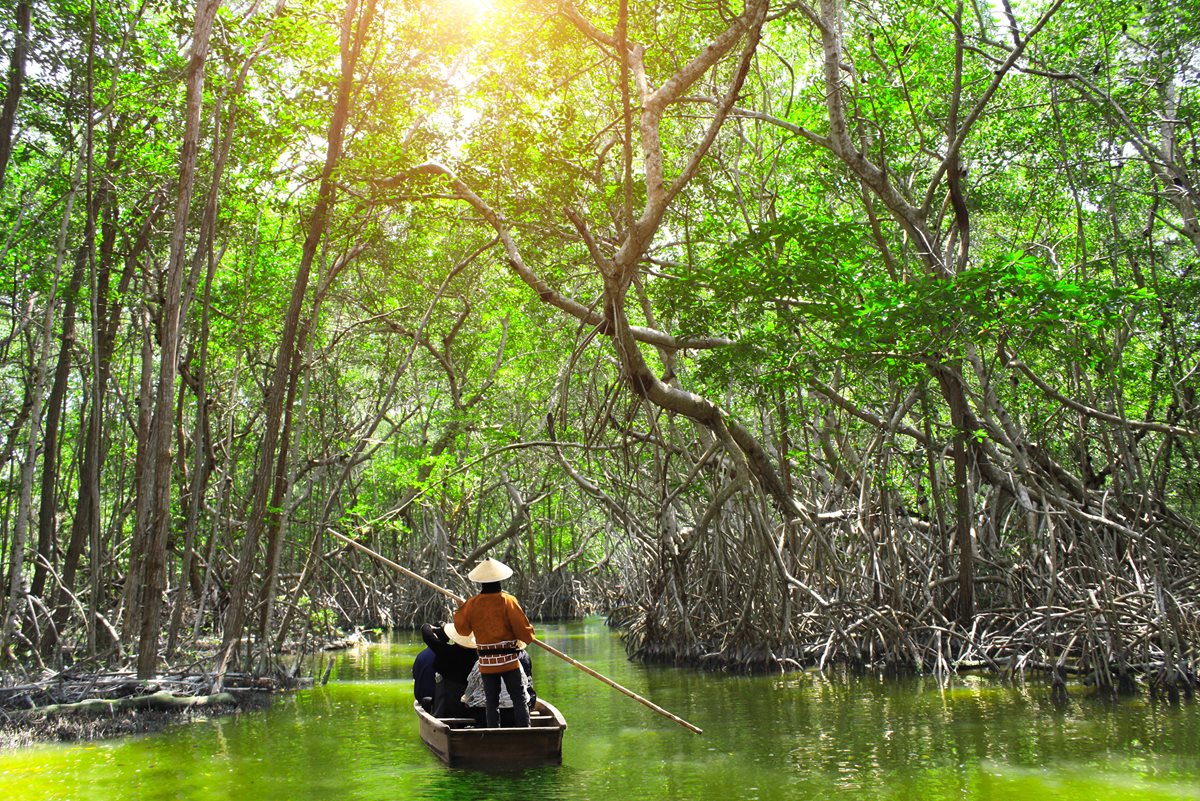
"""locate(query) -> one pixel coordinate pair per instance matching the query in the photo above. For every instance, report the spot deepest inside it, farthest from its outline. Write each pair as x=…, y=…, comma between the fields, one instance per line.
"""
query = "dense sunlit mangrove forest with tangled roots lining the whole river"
x=784, y=334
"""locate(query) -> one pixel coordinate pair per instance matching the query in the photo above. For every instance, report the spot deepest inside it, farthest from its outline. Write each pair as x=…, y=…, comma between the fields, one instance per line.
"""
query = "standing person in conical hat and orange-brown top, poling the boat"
x=501, y=631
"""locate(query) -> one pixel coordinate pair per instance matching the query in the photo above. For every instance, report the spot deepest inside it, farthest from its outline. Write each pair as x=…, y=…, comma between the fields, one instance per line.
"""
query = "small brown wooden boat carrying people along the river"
x=460, y=743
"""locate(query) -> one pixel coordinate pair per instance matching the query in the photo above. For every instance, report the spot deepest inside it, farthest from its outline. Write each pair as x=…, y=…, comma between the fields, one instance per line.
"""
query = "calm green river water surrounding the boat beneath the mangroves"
x=785, y=738
